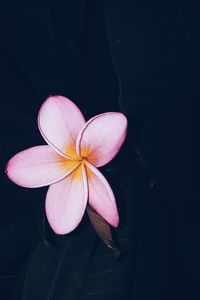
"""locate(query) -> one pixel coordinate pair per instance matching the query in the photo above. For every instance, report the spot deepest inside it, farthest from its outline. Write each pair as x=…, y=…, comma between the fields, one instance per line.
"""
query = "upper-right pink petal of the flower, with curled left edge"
x=101, y=138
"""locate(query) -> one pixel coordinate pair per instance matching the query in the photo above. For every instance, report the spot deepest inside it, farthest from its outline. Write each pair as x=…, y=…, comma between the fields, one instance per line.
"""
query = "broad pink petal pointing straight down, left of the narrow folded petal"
x=66, y=201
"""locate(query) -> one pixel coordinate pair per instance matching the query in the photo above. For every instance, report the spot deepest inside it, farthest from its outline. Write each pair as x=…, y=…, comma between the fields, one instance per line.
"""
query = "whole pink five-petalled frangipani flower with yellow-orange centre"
x=69, y=161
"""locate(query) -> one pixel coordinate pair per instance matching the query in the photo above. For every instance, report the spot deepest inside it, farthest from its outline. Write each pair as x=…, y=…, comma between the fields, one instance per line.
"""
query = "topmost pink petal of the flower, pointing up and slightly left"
x=60, y=122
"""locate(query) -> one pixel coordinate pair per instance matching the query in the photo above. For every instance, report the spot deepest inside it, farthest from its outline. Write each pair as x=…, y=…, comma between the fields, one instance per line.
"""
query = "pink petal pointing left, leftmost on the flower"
x=38, y=166
